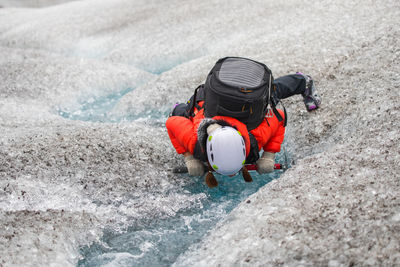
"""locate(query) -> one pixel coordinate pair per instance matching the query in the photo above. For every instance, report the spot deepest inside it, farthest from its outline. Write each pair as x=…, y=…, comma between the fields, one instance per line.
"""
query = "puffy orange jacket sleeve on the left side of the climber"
x=182, y=134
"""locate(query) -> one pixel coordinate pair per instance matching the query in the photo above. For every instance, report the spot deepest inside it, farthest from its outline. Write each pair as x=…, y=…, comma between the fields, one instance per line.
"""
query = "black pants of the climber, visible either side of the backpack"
x=286, y=86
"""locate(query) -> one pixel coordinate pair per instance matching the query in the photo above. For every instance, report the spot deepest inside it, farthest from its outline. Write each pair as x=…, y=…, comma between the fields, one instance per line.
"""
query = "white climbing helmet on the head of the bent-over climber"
x=226, y=150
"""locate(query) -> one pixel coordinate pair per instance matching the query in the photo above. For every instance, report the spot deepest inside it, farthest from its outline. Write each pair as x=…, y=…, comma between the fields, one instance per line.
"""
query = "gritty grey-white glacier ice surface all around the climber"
x=84, y=156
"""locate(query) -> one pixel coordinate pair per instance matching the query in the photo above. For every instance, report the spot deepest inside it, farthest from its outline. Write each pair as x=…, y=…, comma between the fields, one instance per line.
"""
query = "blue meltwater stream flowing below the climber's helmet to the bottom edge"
x=160, y=242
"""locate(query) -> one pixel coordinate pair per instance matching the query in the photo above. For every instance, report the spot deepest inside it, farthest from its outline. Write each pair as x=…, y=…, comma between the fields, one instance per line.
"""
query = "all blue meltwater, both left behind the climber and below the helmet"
x=160, y=241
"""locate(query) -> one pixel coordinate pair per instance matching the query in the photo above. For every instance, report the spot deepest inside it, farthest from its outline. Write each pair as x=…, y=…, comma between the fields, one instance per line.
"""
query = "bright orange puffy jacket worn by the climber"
x=184, y=132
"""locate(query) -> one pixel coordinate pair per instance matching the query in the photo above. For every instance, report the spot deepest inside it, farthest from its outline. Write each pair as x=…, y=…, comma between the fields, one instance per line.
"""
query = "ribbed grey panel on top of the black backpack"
x=241, y=72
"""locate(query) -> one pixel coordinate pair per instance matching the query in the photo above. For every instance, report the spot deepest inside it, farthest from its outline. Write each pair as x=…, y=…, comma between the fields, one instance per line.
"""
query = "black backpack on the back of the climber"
x=240, y=88
